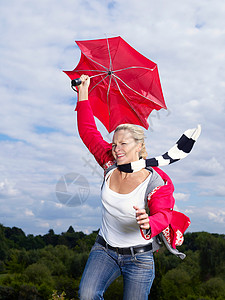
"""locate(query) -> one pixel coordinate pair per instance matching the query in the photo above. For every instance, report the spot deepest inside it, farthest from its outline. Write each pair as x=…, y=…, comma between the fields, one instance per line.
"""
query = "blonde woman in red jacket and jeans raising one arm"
x=124, y=243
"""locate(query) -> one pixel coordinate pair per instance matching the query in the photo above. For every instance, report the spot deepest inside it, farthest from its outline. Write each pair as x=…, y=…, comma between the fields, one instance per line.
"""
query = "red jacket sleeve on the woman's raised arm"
x=89, y=134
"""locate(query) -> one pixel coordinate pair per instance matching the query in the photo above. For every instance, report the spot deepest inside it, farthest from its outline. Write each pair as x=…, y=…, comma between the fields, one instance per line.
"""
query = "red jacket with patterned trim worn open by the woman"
x=160, y=201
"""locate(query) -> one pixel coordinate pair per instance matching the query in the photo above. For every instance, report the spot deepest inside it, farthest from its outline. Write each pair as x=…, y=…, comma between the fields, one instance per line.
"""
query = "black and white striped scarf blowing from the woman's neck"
x=180, y=150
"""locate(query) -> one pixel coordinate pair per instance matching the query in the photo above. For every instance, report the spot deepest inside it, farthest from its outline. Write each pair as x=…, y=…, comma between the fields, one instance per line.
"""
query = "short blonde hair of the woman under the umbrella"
x=137, y=134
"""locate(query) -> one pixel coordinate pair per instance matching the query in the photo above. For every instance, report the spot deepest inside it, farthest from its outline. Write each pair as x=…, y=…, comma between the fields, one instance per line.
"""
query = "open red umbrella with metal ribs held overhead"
x=125, y=86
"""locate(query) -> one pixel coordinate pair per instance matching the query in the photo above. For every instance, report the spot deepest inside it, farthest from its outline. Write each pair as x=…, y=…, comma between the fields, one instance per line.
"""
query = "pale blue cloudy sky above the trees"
x=48, y=179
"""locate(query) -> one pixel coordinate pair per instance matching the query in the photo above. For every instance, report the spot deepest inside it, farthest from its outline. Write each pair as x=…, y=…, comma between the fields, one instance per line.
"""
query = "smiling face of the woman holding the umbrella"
x=124, y=147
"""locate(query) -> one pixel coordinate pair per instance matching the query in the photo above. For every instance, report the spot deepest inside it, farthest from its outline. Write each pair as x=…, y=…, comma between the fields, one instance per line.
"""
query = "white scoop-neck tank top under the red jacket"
x=119, y=226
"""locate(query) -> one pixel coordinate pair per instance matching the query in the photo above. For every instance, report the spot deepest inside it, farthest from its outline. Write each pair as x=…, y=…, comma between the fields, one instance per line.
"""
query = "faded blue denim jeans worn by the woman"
x=105, y=265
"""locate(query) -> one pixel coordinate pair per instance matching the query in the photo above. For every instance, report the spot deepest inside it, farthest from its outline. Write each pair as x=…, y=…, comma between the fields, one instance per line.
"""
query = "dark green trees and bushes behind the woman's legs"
x=50, y=266
